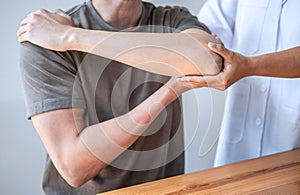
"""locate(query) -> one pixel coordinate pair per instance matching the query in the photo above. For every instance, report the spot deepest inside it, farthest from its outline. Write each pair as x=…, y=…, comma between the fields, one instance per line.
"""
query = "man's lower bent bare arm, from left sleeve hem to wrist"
x=79, y=153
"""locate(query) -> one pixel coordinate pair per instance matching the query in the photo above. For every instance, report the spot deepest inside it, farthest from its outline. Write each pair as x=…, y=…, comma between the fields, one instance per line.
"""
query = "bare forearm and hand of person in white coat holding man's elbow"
x=285, y=64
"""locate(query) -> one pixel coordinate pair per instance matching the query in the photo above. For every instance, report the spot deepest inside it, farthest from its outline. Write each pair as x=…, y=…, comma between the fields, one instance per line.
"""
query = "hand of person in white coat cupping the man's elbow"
x=236, y=66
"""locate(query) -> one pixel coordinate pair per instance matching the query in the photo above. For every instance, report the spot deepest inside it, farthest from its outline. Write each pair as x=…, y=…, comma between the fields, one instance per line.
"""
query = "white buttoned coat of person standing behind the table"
x=262, y=114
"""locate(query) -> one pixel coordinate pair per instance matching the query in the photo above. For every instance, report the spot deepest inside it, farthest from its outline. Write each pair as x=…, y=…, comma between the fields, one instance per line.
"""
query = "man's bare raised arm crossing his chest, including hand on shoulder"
x=173, y=54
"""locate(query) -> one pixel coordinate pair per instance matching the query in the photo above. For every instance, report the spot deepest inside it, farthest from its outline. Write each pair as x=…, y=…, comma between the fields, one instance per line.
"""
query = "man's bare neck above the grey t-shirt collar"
x=120, y=14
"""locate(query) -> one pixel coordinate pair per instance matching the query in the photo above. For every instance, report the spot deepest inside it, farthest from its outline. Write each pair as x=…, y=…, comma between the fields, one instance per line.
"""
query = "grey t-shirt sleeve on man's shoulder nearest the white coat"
x=185, y=20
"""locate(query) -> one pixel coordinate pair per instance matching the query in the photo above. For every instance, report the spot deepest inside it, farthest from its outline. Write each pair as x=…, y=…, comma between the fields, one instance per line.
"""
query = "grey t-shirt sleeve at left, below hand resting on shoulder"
x=48, y=79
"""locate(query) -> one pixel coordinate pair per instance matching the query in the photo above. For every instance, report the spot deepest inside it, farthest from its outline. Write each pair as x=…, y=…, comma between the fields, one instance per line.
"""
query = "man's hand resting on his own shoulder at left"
x=46, y=29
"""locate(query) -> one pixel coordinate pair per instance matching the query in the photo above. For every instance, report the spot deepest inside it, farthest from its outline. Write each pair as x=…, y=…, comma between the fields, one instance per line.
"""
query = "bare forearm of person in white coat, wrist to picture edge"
x=280, y=64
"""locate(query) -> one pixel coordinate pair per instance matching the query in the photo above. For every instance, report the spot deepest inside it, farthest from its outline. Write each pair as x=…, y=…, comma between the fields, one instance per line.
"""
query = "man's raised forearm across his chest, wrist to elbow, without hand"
x=173, y=54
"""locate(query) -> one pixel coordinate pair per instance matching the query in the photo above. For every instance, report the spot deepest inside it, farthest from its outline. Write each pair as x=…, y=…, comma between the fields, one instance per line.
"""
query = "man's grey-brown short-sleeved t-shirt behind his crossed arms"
x=107, y=89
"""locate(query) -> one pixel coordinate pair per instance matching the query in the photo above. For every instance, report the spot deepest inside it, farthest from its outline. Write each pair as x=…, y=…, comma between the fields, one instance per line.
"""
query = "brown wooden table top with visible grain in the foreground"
x=274, y=174
